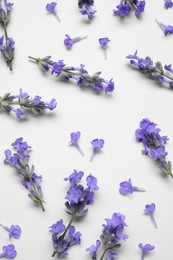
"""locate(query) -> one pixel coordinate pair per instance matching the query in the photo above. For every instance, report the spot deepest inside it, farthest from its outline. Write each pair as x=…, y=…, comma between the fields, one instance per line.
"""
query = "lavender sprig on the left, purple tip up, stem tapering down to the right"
x=20, y=161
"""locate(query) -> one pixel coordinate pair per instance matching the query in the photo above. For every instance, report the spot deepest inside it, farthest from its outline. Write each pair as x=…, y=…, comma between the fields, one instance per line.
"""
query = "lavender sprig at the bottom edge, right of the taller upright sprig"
x=112, y=233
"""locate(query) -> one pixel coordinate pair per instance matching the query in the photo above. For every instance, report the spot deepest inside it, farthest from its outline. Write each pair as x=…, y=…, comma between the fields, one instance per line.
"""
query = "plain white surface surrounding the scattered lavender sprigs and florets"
x=114, y=118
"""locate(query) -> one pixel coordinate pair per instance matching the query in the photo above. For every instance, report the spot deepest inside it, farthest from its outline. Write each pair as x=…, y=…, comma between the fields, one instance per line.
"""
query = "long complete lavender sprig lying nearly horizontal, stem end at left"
x=79, y=74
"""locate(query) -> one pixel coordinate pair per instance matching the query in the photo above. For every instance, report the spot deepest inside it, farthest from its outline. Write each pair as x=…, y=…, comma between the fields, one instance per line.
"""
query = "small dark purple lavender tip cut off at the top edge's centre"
x=87, y=9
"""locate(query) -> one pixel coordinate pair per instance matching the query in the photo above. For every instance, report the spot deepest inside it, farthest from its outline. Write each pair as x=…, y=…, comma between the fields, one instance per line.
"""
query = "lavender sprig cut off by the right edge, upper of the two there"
x=146, y=65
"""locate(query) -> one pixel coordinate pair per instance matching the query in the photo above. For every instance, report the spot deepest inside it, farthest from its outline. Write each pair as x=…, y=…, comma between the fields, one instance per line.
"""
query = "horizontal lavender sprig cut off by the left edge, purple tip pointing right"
x=25, y=104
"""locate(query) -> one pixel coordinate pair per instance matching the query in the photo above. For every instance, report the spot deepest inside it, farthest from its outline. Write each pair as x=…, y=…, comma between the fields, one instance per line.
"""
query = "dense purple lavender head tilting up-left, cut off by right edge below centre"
x=154, y=144
